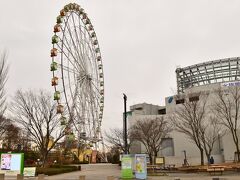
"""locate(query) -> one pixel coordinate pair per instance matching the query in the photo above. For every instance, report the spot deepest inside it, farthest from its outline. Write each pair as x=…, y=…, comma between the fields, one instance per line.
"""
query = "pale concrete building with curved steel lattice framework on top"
x=205, y=77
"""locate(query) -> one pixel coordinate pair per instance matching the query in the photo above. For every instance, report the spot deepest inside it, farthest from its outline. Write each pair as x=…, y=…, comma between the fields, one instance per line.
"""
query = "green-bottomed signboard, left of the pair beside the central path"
x=126, y=170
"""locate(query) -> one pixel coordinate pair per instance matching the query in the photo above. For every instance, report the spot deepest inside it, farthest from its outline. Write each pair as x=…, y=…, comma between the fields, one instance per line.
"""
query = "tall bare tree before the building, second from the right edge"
x=194, y=119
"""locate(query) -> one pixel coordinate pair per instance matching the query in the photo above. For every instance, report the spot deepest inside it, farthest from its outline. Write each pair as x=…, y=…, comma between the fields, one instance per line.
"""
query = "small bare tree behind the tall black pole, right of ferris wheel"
x=115, y=138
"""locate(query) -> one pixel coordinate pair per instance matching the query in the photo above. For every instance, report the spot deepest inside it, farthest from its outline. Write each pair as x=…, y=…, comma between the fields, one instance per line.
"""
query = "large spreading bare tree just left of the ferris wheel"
x=36, y=114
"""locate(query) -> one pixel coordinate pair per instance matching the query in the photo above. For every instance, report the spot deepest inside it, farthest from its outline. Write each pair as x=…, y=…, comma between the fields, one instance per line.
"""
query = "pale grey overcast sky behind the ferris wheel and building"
x=142, y=42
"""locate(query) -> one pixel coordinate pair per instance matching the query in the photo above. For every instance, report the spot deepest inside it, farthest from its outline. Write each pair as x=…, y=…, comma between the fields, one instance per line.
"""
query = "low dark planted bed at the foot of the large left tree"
x=56, y=169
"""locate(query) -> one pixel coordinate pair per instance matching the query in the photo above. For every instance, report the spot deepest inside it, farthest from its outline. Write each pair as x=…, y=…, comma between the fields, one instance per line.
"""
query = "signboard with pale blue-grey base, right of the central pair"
x=140, y=166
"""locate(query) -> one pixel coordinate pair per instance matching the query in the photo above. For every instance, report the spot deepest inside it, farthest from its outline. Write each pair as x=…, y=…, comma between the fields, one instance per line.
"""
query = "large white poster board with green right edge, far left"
x=11, y=163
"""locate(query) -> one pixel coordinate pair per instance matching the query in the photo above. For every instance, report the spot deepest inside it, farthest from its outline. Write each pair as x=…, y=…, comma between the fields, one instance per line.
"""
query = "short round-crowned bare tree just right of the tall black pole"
x=150, y=132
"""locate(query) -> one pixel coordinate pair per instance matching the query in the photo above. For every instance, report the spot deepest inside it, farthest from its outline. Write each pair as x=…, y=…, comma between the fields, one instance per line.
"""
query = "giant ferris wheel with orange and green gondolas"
x=77, y=71
